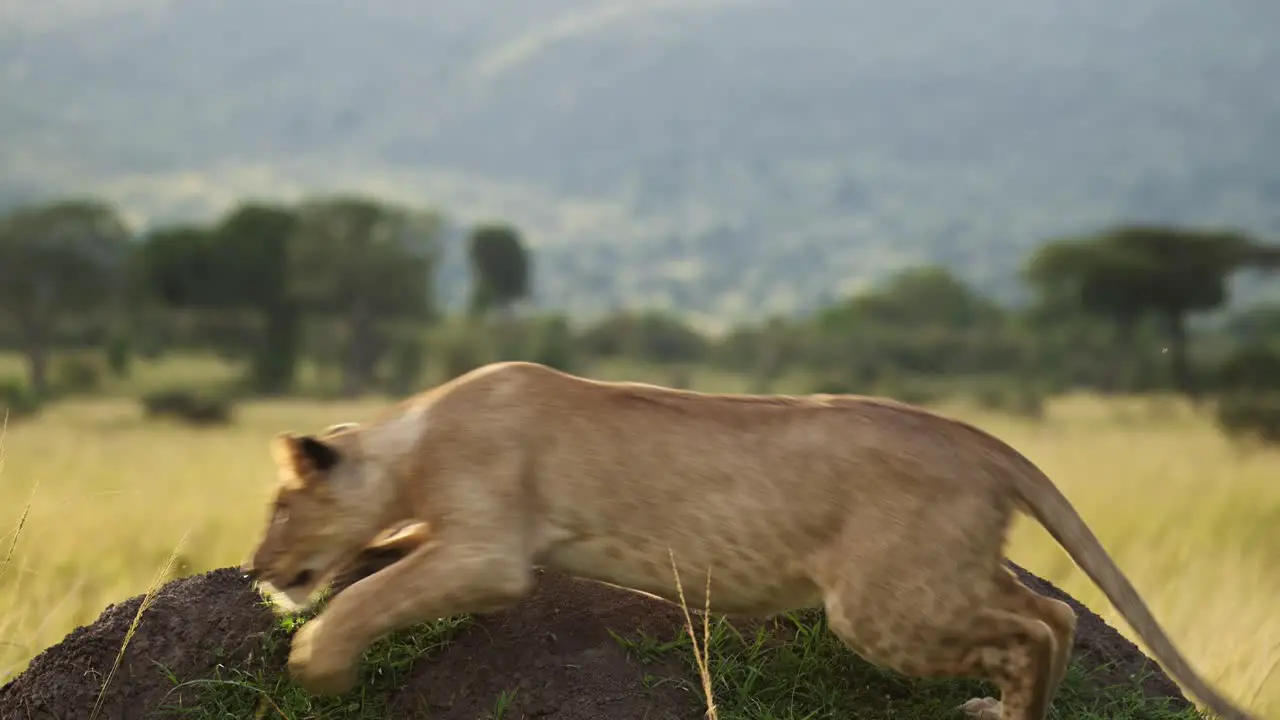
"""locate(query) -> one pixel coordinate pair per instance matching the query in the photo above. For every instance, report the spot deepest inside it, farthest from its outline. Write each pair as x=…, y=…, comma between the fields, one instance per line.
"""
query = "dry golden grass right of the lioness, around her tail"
x=1191, y=520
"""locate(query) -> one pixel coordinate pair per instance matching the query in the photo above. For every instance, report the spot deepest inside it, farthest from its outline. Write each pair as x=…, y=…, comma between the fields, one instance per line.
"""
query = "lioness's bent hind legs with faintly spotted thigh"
x=964, y=618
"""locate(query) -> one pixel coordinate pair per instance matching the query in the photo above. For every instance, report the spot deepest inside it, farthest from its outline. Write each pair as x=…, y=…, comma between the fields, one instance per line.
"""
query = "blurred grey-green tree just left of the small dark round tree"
x=365, y=262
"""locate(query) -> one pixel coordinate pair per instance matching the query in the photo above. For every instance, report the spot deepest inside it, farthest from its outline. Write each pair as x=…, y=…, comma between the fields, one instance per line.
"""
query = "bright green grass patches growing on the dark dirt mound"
x=755, y=676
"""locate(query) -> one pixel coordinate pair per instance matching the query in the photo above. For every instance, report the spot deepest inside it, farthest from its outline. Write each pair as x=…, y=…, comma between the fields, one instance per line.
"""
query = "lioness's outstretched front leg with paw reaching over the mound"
x=436, y=581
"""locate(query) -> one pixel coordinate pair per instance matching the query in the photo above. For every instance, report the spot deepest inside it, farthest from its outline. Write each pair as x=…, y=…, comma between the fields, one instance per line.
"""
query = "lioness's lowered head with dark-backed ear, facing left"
x=328, y=507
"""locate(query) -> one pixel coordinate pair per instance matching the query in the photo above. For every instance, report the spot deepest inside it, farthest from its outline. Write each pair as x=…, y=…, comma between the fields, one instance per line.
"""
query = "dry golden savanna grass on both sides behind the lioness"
x=104, y=498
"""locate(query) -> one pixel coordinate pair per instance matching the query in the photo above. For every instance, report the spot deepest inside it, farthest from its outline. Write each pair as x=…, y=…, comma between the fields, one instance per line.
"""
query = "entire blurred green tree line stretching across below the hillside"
x=348, y=282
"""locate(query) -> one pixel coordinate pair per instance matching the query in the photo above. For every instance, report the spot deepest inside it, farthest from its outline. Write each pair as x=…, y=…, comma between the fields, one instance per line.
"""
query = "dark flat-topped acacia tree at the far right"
x=1132, y=272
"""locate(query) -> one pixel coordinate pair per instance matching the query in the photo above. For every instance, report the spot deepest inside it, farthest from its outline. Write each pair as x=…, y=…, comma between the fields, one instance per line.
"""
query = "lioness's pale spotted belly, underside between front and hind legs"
x=740, y=582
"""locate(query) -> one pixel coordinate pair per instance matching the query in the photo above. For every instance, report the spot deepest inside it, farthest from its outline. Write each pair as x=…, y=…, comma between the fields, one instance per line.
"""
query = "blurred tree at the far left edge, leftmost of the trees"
x=60, y=261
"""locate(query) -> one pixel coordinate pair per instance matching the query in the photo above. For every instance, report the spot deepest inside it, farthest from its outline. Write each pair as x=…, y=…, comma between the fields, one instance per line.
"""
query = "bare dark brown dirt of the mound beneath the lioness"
x=555, y=651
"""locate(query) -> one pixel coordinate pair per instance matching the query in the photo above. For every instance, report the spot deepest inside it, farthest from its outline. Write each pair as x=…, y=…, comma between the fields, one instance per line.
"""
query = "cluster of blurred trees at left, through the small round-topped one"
x=72, y=272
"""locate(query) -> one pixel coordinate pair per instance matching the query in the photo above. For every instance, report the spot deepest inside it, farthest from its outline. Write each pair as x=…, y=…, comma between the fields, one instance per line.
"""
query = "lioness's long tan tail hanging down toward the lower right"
x=1052, y=509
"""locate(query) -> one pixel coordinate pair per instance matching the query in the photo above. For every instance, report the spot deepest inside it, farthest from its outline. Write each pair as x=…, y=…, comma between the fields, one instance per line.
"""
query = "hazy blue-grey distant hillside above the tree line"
x=724, y=157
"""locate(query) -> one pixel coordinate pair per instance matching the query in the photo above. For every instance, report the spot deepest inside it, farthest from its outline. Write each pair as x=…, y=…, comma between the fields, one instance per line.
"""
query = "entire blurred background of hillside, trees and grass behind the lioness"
x=1062, y=221
